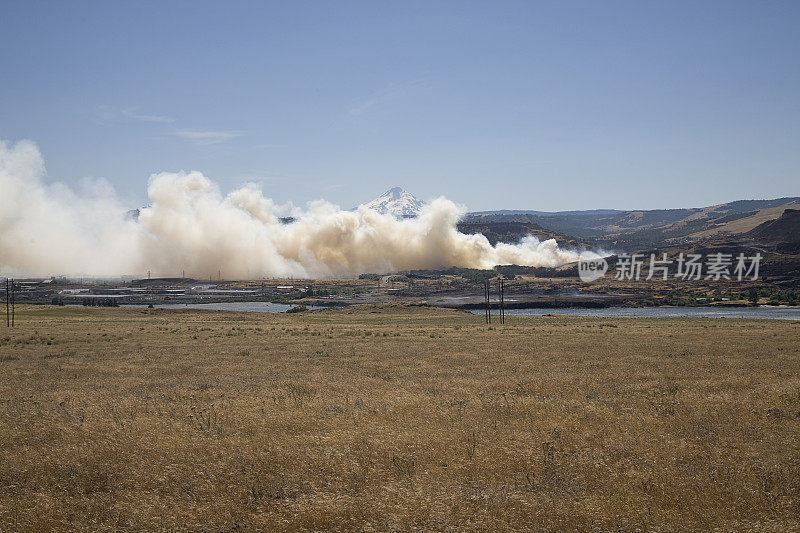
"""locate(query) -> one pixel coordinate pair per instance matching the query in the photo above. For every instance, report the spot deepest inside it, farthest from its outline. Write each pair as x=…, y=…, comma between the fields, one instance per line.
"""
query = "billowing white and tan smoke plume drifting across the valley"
x=190, y=226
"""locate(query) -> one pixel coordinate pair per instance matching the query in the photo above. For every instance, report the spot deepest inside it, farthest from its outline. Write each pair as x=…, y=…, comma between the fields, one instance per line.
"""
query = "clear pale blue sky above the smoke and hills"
x=496, y=105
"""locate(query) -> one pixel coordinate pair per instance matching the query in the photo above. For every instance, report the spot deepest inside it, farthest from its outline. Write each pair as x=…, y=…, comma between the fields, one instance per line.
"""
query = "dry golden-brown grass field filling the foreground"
x=396, y=419
